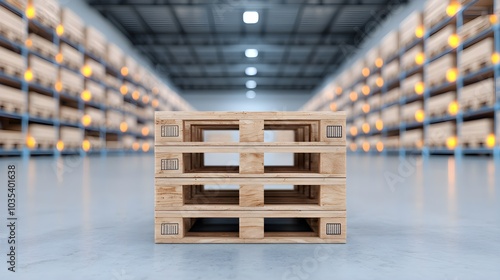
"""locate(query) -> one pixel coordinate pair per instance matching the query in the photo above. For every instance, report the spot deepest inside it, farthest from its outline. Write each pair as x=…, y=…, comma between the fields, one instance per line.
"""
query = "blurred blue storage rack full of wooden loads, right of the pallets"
x=389, y=139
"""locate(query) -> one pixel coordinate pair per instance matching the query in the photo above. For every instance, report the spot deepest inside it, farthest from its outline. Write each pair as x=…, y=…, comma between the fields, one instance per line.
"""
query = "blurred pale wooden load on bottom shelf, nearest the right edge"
x=474, y=133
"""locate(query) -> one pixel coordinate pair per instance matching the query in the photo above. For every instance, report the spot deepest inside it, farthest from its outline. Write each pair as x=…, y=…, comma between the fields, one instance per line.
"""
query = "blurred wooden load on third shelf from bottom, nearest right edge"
x=477, y=56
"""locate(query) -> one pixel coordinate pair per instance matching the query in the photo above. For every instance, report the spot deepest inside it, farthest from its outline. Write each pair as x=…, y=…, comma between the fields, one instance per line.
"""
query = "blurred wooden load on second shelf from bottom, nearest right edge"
x=477, y=95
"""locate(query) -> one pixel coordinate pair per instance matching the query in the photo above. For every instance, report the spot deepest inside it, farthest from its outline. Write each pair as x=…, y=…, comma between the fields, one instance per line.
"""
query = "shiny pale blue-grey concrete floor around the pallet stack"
x=92, y=218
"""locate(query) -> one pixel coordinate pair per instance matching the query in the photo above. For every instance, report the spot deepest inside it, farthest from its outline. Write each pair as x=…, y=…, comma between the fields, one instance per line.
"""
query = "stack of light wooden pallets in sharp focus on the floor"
x=189, y=209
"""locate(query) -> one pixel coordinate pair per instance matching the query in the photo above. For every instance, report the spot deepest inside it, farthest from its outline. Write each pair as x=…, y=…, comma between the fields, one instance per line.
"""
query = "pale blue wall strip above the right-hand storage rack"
x=374, y=33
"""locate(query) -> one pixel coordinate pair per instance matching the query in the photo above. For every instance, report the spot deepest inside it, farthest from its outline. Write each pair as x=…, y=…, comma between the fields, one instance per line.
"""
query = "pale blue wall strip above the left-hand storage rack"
x=93, y=18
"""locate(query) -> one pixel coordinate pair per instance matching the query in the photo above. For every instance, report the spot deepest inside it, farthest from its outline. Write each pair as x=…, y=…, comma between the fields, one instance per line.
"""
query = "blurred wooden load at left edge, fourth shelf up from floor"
x=12, y=26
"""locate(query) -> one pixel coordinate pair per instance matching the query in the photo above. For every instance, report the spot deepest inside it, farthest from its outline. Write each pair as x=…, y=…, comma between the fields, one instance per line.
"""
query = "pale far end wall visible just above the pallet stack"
x=237, y=101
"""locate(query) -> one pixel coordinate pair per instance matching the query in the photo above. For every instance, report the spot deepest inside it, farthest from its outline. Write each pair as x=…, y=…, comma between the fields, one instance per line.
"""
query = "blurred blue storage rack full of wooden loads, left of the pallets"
x=102, y=137
